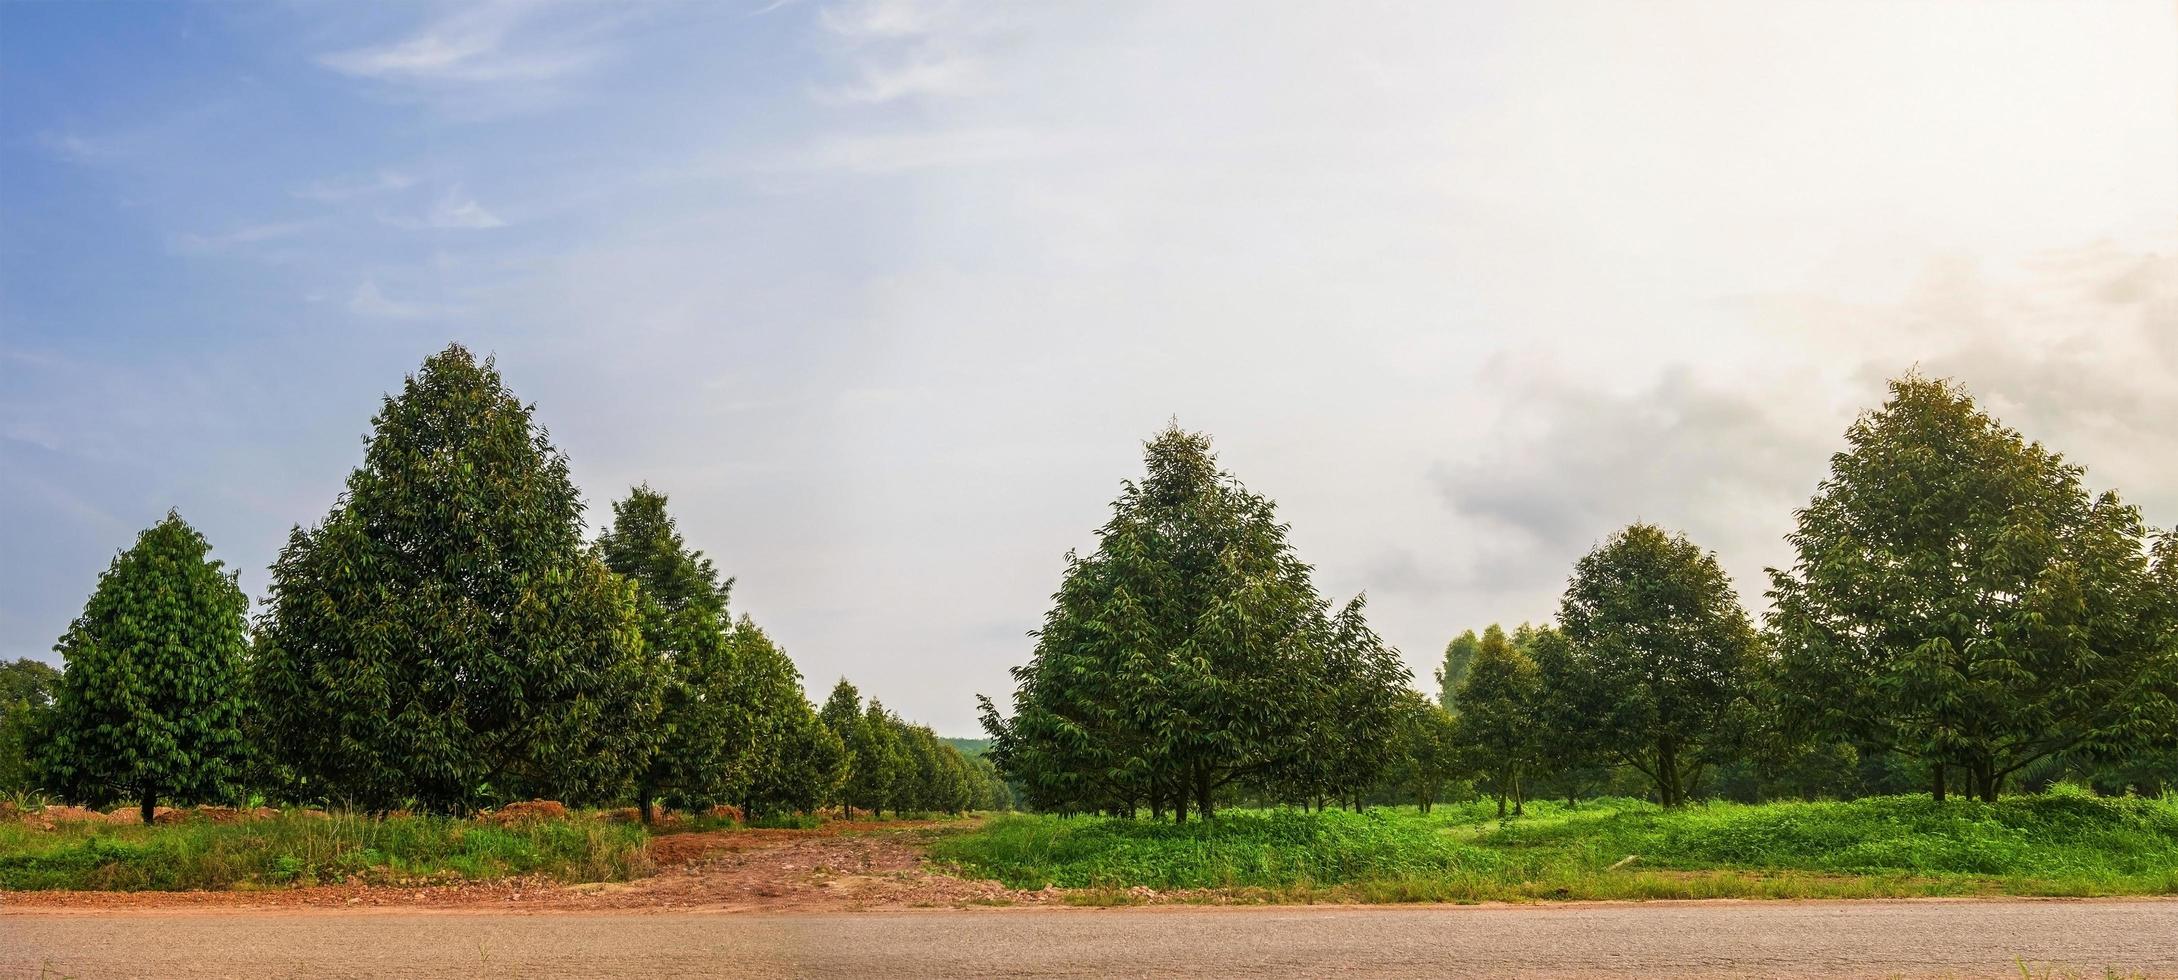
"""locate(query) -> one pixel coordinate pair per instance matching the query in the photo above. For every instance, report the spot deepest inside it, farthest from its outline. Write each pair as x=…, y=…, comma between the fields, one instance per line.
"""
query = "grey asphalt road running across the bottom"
x=1826, y=940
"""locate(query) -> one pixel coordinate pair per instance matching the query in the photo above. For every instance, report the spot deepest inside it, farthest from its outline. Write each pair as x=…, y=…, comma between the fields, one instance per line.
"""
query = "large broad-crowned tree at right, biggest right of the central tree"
x=1959, y=598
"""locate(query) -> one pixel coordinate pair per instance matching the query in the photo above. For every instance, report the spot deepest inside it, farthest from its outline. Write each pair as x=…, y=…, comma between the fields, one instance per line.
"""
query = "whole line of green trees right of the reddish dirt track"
x=1959, y=607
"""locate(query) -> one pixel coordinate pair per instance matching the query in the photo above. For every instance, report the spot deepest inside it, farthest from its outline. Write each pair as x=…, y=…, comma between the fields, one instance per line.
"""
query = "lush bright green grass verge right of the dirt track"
x=2061, y=844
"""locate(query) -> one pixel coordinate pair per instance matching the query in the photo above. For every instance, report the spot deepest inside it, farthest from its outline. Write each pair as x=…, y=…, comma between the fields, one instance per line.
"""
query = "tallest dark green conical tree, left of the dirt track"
x=443, y=637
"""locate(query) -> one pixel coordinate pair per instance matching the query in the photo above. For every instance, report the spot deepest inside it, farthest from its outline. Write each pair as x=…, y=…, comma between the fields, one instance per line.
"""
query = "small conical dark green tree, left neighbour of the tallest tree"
x=154, y=696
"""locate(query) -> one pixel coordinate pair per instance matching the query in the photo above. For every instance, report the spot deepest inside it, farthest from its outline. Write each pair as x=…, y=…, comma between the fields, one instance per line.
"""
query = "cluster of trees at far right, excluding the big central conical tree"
x=1959, y=607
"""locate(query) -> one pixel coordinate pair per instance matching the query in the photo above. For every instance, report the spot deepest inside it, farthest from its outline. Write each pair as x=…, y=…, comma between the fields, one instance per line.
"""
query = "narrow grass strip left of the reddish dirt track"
x=315, y=850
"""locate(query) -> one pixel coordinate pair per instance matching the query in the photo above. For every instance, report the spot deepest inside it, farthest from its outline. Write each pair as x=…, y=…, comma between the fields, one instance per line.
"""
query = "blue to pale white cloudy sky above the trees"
x=888, y=295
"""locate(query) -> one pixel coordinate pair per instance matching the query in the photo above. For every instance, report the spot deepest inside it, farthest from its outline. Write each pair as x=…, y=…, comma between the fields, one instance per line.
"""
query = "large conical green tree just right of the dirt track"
x=1190, y=657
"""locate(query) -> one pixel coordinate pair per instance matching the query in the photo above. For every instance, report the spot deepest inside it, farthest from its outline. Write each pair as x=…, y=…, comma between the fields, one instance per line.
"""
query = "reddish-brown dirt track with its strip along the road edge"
x=842, y=868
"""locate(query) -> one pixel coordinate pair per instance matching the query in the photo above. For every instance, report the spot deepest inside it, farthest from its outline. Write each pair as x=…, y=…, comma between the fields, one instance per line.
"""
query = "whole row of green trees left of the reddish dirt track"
x=445, y=639
